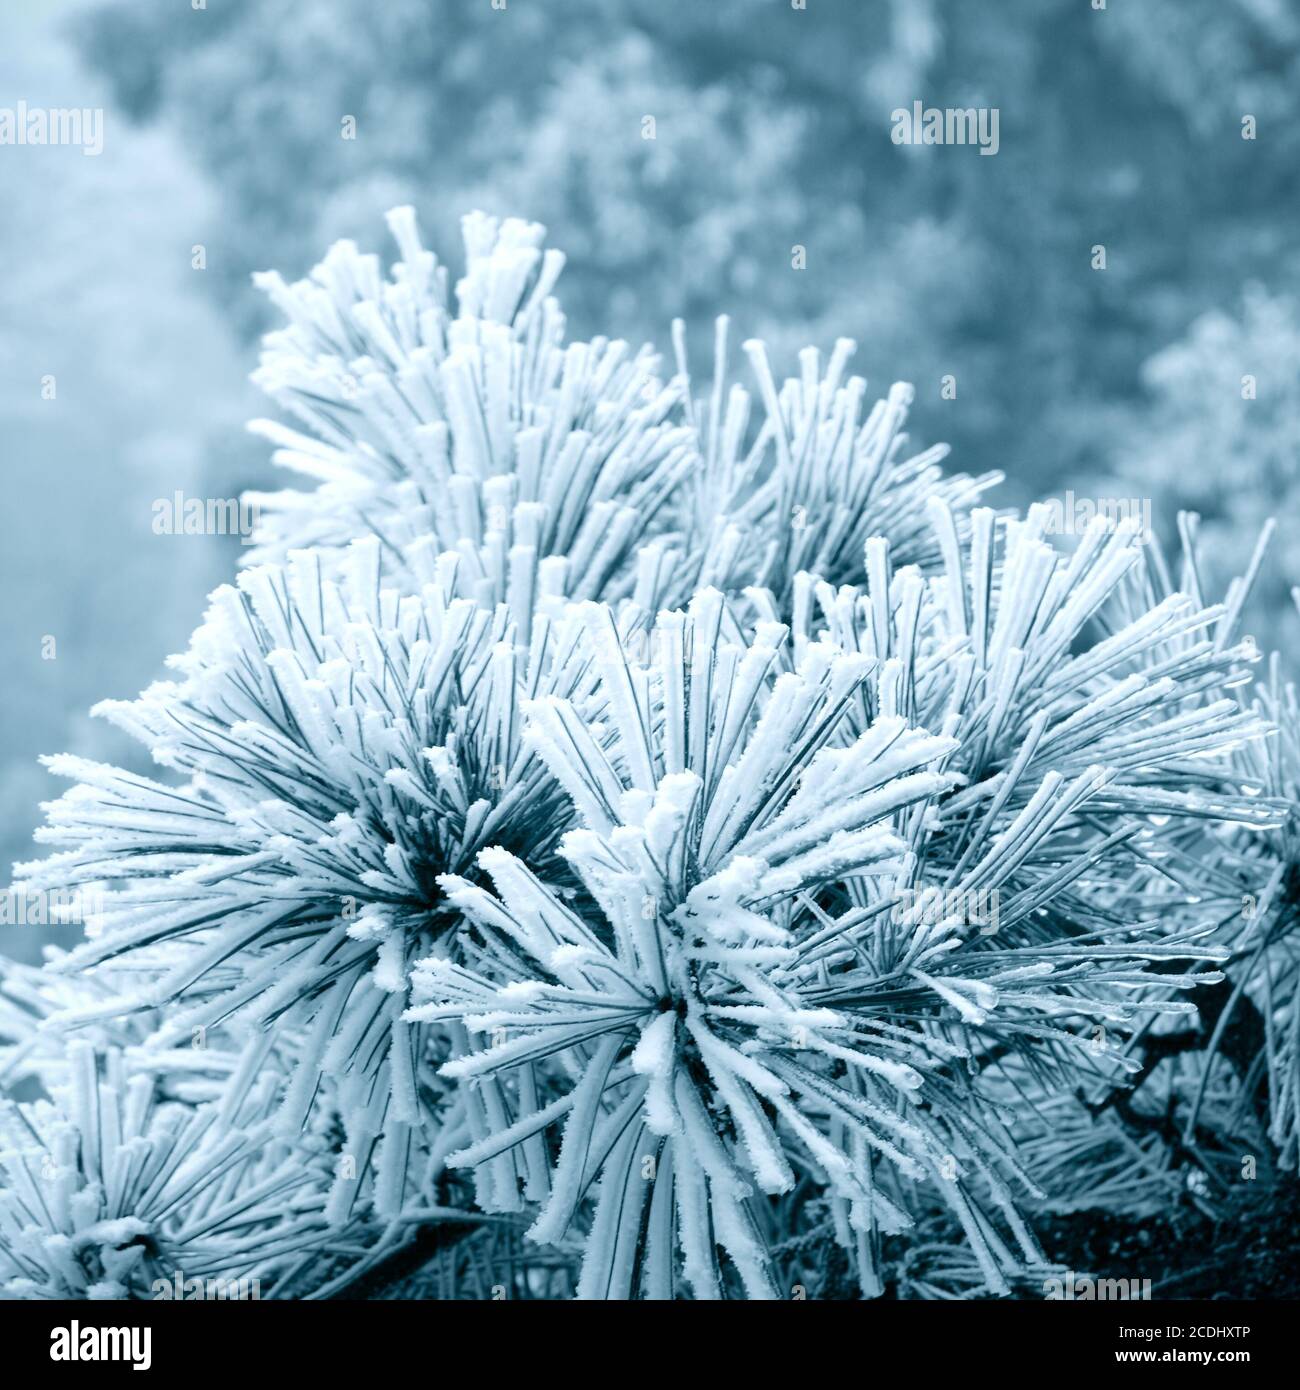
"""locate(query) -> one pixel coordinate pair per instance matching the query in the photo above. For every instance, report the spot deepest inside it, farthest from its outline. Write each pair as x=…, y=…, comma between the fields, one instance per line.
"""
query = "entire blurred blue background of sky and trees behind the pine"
x=223, y=129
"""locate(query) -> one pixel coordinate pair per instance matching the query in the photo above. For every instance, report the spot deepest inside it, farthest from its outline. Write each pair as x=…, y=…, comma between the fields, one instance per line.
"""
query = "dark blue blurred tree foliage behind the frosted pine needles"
x=1121, y=127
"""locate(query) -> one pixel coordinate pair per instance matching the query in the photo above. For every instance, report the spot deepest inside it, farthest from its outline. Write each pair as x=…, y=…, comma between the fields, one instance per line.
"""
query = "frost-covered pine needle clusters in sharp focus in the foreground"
x=626, y=836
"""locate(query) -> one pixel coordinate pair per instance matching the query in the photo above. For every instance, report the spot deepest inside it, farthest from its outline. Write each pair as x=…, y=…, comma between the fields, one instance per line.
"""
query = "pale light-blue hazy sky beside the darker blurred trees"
x=120, y=383
